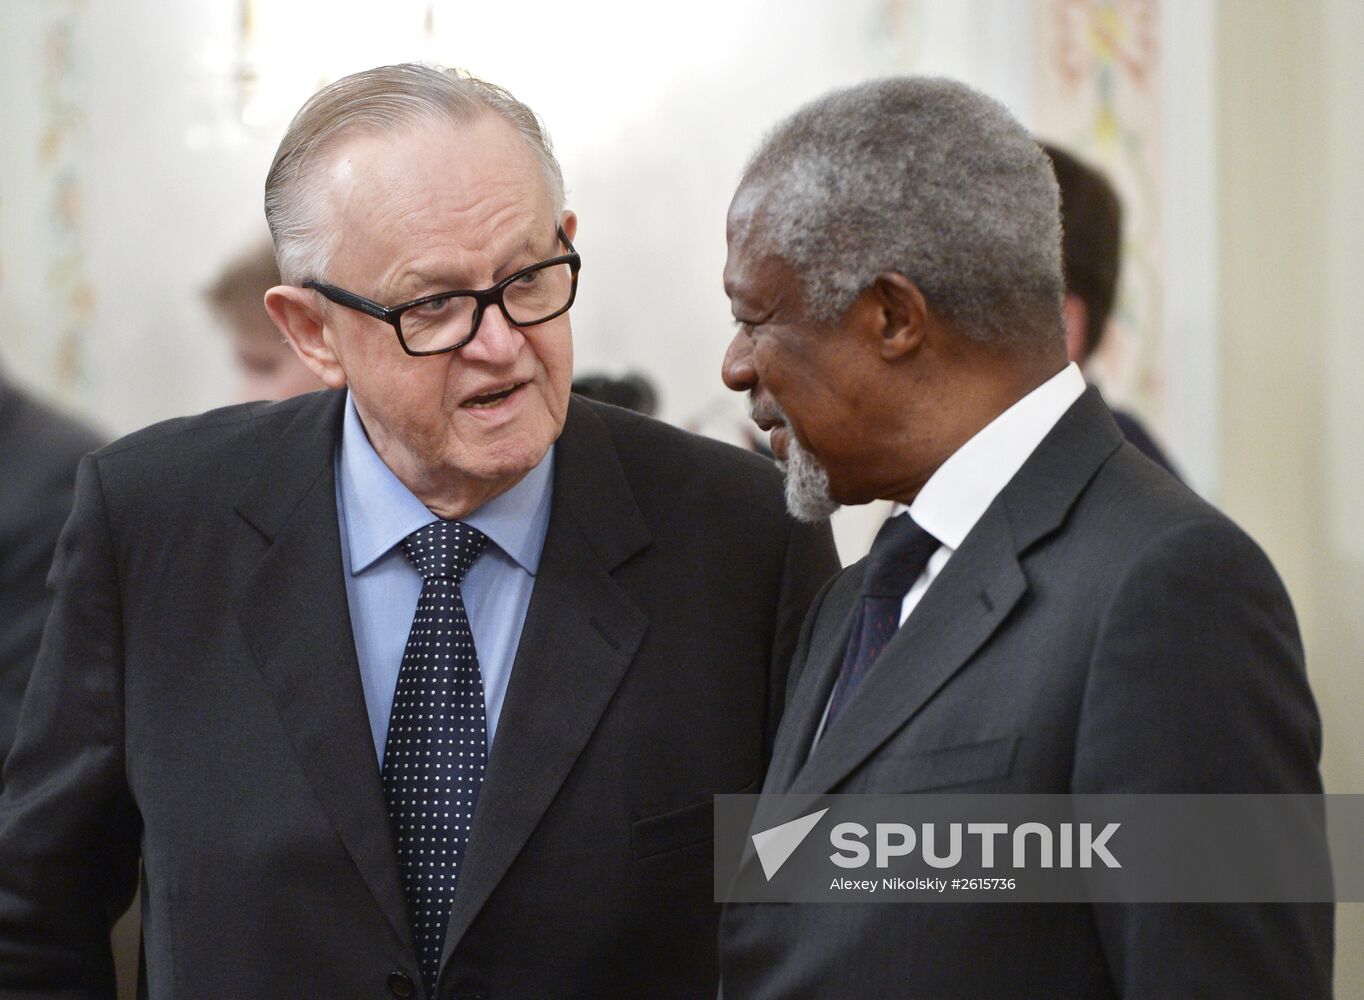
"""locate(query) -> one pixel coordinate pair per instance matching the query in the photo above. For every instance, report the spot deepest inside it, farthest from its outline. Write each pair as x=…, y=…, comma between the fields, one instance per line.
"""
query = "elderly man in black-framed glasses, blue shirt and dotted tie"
x=424, y=686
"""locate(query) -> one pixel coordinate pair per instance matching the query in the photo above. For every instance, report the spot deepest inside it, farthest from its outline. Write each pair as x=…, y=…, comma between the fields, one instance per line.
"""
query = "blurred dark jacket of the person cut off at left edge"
x=40, y=450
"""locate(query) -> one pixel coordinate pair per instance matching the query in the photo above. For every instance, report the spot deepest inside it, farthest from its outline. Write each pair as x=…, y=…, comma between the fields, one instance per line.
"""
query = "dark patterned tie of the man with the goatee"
x=898, y=557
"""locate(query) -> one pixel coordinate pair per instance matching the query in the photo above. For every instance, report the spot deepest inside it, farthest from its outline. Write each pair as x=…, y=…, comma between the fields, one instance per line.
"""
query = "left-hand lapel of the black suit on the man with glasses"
x=295, y=616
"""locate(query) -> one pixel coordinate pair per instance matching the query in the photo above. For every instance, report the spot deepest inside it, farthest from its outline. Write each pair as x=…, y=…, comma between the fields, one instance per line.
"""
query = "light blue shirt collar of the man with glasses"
x=380, y=511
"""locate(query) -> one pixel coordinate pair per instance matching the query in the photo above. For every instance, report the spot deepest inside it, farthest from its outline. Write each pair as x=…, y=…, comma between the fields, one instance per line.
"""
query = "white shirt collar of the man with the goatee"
x=965, y=486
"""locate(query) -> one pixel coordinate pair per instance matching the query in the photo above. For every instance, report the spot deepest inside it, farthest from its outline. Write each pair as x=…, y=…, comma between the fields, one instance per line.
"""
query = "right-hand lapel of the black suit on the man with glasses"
x=582, y=634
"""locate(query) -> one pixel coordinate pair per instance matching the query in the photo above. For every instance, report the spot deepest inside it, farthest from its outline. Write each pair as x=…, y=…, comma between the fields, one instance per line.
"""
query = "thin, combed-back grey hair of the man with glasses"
x=380, y=100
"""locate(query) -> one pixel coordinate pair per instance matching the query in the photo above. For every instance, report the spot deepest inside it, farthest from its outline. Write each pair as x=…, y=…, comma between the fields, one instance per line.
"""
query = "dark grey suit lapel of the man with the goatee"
x=968, y=602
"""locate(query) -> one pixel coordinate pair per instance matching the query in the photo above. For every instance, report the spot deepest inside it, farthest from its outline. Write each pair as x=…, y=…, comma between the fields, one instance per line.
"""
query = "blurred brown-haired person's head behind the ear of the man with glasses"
x=271, y=369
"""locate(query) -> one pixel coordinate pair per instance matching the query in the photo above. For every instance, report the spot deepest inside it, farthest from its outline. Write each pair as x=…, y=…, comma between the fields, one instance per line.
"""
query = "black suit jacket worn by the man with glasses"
x=198, y=698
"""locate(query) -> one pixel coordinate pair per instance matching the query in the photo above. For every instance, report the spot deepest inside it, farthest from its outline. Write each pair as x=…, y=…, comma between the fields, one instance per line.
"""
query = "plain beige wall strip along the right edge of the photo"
x=1291, y=119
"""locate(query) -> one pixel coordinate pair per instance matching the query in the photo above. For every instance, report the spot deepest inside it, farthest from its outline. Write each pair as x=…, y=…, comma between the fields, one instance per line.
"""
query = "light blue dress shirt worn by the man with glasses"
x=376, y=514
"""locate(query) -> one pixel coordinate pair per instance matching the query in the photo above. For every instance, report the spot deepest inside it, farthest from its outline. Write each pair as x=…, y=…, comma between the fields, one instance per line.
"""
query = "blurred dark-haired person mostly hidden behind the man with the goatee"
x=1092, y=257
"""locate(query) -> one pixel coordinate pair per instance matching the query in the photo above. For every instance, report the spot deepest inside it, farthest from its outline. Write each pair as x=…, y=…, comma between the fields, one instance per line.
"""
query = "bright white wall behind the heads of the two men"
x=654, y=111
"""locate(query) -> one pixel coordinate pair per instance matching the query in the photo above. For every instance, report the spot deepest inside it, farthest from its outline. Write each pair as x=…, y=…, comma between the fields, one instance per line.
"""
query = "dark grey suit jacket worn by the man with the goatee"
x=1100, y=631
